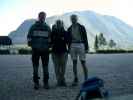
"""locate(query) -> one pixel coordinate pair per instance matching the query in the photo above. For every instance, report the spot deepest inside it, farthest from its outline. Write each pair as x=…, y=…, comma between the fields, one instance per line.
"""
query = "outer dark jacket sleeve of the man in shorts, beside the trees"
x=85, y=40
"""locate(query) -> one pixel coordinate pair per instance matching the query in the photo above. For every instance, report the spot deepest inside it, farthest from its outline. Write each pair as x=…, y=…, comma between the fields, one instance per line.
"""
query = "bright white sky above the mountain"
x=14, y=12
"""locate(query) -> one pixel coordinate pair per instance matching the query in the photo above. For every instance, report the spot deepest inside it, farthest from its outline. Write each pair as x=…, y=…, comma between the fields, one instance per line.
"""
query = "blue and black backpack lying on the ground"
x=92, y=88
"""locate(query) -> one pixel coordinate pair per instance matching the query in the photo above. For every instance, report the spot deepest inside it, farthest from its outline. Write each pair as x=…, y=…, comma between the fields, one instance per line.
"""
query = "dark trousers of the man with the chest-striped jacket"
x=44, y=55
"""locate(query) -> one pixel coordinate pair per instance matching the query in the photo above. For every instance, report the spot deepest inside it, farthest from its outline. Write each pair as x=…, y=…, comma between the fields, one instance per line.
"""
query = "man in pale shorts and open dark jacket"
x=78, y=46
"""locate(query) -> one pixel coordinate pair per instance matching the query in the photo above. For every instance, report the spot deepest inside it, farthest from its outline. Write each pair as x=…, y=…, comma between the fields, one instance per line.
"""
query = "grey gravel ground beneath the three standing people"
x=16, y=77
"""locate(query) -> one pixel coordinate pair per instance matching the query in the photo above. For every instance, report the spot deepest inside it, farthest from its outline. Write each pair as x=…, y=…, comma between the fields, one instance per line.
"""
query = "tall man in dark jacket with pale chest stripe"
x=38, y=40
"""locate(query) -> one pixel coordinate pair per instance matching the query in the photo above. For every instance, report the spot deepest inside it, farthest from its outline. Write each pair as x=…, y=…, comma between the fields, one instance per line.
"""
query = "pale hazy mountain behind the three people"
x=111, y=27
